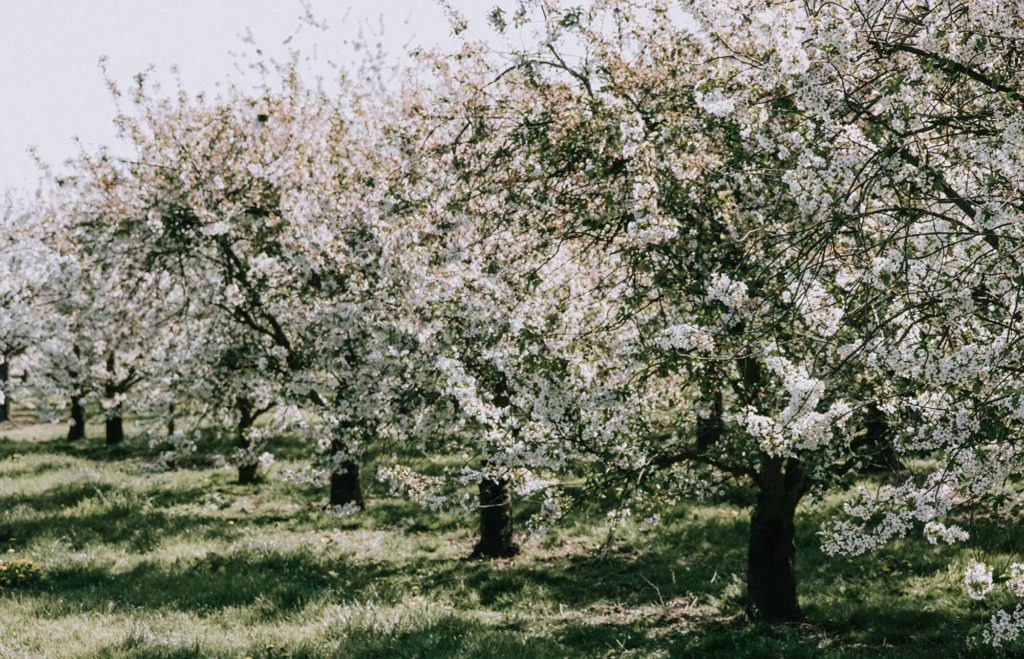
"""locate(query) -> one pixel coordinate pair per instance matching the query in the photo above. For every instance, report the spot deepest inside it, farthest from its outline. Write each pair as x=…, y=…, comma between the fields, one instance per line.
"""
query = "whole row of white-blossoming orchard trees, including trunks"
x=665, y=249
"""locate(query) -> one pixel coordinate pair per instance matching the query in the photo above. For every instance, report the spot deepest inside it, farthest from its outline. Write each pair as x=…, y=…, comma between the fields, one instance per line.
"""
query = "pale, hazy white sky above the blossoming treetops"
x=53, y=90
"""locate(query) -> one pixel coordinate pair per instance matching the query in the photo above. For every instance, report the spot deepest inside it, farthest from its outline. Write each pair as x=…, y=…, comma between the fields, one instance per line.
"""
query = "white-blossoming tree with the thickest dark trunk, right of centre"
x=612, y=136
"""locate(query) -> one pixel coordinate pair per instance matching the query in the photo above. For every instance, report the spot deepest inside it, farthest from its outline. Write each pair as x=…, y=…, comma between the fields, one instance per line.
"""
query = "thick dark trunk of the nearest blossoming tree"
x=772, y=581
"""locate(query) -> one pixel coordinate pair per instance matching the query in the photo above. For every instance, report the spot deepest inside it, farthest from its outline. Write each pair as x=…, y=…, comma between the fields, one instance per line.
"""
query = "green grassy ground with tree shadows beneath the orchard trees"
x=187, y=564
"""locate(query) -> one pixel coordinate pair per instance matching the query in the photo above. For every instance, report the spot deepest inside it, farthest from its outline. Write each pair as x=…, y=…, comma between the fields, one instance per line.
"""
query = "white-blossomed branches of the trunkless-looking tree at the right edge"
x=905, y=125
